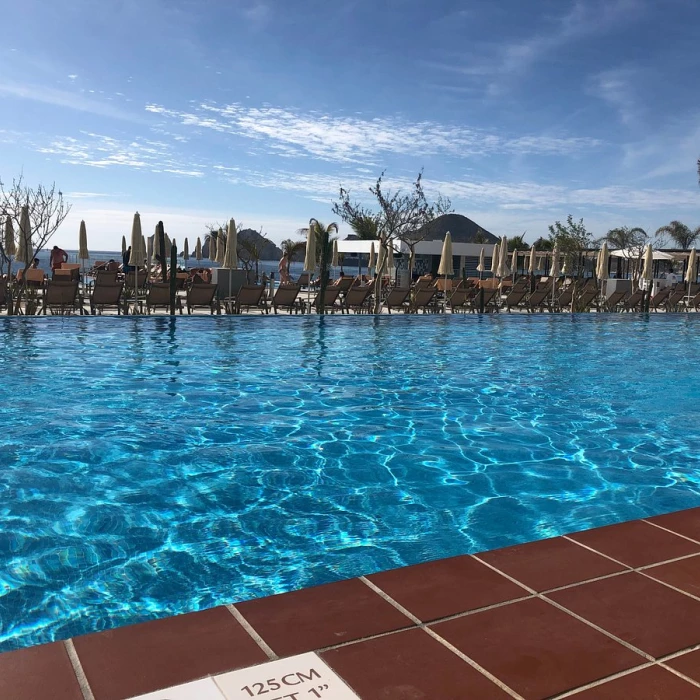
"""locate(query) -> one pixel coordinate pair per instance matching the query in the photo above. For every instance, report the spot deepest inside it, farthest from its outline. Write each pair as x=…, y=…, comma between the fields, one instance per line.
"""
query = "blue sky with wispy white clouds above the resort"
x=193, y=111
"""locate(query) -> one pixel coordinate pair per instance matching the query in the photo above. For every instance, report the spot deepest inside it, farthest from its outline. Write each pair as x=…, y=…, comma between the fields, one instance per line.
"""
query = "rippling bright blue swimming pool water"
x=151, y=466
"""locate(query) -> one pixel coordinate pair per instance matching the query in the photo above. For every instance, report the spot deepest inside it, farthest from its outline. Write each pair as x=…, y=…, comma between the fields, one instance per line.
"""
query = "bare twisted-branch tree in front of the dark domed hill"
x=400, y=216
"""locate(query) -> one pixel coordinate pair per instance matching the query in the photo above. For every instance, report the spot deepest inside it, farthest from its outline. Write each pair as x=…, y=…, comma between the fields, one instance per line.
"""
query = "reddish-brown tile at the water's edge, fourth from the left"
x=446, y=587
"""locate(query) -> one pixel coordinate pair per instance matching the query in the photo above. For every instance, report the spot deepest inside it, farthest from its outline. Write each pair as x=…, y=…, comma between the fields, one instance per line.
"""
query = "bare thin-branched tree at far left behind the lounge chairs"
x=47, y=210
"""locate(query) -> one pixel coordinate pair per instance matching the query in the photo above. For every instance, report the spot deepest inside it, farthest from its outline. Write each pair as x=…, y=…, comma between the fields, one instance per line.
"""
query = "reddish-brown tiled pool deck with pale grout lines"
x=612, y=612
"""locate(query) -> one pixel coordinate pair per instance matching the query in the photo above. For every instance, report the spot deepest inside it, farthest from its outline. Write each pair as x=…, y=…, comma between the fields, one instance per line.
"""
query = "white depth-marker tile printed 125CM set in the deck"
x=302, y=677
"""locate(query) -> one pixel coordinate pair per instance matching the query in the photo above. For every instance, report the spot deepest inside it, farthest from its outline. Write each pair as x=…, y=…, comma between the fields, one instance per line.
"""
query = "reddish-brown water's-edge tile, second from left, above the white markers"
x=138, y=659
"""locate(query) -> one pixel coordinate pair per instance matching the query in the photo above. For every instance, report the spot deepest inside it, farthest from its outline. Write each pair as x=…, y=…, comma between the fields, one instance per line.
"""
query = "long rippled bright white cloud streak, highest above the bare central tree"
x=292, y=133
